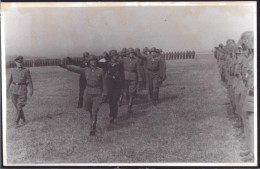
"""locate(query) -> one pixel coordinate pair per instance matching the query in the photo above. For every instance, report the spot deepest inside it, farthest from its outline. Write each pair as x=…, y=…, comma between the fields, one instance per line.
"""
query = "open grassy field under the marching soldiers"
x=190, y=123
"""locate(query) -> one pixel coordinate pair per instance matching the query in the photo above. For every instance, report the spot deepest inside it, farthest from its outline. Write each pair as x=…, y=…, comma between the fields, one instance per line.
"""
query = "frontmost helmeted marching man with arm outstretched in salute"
x=96, y=88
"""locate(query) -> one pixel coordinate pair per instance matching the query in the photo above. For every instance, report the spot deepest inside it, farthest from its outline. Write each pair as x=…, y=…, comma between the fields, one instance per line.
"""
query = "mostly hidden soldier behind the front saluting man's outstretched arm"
x=82, y=80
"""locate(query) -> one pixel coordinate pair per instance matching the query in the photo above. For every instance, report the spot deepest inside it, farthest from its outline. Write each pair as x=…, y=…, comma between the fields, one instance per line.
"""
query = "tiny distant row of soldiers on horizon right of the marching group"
x=180, y=55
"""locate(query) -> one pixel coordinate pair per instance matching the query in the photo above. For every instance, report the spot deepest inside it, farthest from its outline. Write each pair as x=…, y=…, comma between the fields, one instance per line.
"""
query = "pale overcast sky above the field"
x=61, y=32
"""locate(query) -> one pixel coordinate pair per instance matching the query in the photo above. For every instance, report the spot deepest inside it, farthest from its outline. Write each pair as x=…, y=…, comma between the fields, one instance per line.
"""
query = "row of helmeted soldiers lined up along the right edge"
x=235, y=62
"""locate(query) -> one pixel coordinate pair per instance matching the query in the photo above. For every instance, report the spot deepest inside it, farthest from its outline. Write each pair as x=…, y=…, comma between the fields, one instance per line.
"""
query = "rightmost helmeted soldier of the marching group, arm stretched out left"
x=155, y=74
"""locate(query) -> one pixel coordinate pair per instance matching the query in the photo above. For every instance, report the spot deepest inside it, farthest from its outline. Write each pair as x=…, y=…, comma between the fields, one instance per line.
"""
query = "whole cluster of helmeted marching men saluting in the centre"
x=116, y=74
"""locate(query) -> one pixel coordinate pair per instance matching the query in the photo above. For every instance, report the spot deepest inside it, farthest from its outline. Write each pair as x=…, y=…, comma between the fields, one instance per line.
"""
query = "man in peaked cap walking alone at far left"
x=19, y=79
